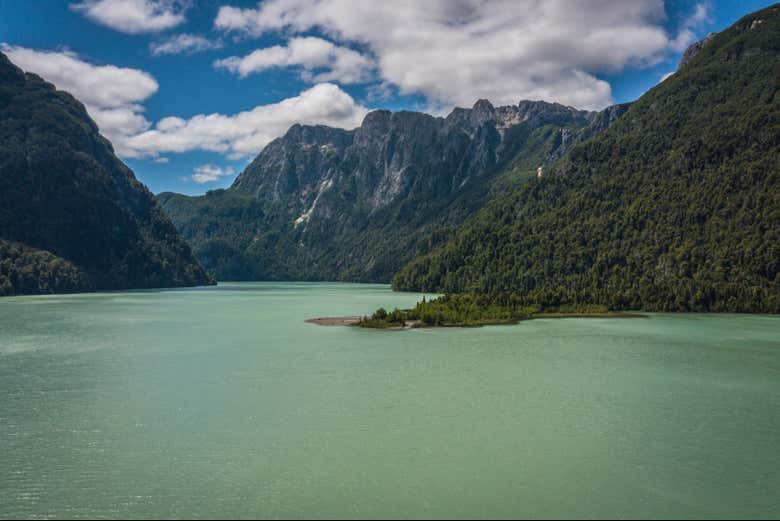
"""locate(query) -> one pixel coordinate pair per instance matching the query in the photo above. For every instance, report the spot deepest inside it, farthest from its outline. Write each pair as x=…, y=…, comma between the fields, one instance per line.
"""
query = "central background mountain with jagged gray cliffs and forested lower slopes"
x=323, y=203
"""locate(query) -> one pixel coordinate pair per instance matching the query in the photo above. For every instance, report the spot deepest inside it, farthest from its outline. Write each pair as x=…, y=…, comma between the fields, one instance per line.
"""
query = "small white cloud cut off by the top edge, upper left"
x=135, y=16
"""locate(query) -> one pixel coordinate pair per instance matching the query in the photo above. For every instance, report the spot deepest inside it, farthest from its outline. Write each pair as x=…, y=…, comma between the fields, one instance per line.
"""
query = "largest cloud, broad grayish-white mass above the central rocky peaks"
x=456, y=51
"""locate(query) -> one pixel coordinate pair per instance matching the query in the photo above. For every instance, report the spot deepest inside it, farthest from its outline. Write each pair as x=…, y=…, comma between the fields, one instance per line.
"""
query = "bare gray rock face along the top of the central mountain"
x=393, y=154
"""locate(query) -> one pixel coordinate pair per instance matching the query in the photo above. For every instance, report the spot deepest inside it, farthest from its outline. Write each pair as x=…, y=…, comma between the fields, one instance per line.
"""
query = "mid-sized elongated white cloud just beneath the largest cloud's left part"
x=320, y=60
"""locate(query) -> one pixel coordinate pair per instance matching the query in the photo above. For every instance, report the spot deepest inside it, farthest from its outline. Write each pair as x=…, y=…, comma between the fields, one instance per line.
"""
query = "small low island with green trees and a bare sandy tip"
x=472, y=310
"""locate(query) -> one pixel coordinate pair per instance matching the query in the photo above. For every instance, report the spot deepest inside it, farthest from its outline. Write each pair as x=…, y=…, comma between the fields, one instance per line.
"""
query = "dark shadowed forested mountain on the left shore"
x=72, y=215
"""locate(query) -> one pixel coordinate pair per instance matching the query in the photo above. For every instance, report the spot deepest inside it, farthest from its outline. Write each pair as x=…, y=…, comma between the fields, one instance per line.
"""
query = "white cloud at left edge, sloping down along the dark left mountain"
x=112, y=95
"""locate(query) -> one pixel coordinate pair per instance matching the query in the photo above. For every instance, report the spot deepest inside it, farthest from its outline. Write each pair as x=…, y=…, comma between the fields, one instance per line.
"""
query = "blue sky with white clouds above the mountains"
x=190, y=91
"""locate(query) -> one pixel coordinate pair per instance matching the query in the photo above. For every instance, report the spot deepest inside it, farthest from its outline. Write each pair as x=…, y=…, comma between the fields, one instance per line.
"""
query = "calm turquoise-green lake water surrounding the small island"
x=222, y=402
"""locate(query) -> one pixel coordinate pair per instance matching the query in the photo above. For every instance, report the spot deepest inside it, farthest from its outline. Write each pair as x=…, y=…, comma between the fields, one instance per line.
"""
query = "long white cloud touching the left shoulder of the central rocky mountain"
x=246, y=133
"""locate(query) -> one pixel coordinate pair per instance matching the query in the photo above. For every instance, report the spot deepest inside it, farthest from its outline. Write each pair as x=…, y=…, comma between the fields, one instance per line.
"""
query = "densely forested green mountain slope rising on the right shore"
x=674, y=207
